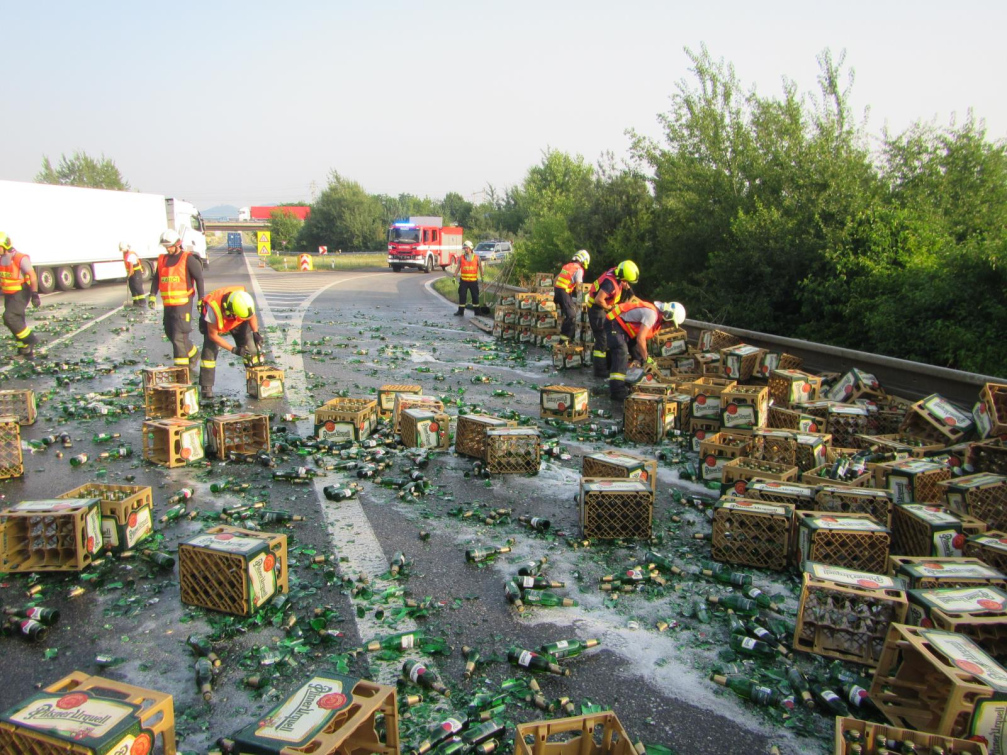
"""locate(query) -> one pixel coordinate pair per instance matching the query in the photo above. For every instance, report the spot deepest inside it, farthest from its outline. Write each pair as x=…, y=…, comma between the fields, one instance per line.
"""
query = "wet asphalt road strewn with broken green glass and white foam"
x=368, y=329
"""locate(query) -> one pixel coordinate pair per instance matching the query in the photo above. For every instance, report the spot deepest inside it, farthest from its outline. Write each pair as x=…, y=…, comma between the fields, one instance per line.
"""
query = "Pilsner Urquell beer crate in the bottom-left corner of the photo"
x=84, y=715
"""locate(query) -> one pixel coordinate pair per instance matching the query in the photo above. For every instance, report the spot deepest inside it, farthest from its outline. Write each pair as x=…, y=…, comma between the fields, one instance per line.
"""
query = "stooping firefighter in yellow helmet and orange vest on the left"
x=227, y=312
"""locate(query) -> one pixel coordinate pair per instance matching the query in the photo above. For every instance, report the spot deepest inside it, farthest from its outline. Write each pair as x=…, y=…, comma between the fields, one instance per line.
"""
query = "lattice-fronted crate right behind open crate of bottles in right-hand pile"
x=854, y=541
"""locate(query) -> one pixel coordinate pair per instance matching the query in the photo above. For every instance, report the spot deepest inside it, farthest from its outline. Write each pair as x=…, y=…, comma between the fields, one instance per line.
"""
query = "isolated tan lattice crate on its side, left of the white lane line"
x=233, y=571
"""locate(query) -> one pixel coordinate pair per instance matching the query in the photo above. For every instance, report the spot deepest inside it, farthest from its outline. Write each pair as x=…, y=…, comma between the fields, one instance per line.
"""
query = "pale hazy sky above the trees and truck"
x=249, y=103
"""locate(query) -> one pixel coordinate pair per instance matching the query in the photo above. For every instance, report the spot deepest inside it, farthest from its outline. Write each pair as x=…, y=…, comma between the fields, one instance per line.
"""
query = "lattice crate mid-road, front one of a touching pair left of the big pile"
x=616, y=509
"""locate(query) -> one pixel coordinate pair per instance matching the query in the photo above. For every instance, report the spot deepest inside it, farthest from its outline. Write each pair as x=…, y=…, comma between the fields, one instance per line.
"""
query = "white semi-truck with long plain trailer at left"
x=73, y=234
